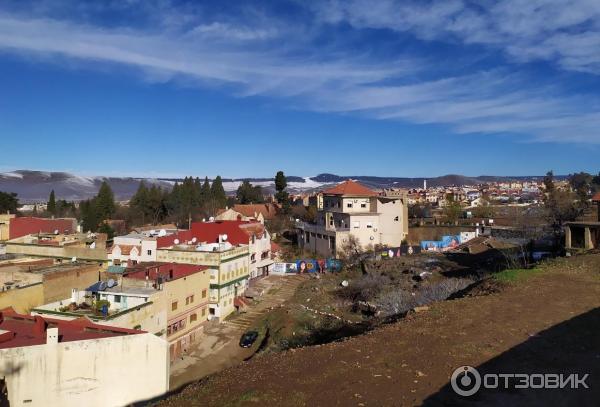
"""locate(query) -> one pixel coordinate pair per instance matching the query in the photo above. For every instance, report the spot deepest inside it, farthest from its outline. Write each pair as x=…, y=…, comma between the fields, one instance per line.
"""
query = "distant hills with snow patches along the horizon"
x=35, y=186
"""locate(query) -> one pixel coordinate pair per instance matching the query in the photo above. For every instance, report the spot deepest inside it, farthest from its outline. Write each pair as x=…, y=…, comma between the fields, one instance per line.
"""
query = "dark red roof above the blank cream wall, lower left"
x=17, y=330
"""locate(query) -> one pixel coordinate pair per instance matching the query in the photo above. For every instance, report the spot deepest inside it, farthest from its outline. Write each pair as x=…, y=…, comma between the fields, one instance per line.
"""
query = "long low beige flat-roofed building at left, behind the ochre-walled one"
x=78, y=246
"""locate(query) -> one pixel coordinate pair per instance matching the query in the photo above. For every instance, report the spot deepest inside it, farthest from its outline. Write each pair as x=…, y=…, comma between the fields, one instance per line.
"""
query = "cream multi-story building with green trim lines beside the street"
x=228, y=265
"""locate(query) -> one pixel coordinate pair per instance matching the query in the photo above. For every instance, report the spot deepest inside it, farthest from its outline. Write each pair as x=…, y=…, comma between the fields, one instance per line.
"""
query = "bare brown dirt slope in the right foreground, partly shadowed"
x=545, y=323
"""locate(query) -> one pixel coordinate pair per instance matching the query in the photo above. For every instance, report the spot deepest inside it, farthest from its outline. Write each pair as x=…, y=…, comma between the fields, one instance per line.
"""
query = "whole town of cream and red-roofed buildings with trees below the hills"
x=95, y=280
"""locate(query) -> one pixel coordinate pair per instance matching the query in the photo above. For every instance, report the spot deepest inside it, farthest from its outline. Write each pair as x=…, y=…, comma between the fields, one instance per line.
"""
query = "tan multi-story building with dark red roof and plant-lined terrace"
x=166, y=299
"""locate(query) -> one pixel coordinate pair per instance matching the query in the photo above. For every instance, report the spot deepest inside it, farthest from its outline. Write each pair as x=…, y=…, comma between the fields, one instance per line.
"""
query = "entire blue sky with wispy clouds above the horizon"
x=243, y=89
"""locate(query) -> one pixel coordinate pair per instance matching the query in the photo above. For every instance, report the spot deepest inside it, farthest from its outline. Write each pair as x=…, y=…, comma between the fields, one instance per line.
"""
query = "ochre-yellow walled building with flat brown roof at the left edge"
x=24, y=286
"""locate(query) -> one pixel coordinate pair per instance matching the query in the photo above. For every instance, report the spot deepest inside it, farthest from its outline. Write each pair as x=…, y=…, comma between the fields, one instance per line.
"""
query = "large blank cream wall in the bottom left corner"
x=100, y=372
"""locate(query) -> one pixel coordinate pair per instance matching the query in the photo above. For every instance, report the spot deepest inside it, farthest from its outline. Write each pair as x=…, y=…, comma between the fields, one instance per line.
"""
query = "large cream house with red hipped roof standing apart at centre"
x=353, y=209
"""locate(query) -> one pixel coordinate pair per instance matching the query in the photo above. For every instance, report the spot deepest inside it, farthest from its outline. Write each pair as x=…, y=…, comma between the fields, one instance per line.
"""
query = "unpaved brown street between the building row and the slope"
x=219, y=348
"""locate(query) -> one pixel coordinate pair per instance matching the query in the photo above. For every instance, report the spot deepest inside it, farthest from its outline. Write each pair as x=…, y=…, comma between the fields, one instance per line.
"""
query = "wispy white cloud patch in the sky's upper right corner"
x=566, y=32
